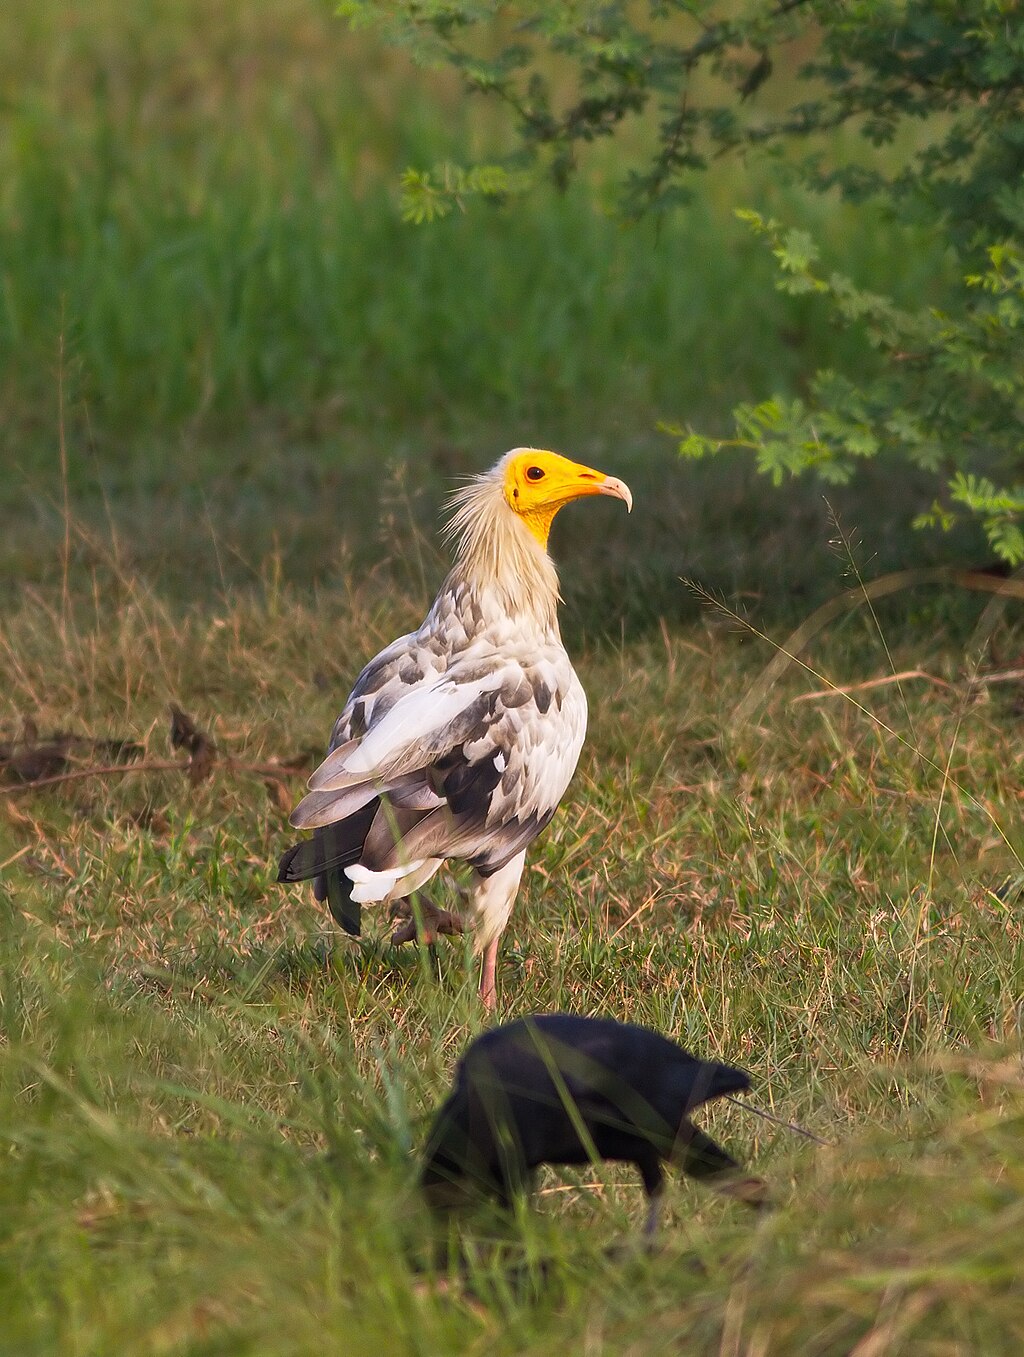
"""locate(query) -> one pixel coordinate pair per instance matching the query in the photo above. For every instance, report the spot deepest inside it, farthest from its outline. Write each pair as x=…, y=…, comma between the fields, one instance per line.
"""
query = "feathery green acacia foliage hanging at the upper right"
x=931, y=93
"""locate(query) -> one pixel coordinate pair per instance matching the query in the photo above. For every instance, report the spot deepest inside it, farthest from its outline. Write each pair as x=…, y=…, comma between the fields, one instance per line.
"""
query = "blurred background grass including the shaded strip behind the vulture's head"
x=214, y=316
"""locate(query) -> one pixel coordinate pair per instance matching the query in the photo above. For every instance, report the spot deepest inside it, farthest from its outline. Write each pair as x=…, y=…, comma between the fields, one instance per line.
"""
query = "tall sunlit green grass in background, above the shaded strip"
x=199, y=226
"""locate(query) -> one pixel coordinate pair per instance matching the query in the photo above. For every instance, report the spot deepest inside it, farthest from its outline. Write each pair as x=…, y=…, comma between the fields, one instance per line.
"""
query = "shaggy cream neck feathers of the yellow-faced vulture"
x=497, y=553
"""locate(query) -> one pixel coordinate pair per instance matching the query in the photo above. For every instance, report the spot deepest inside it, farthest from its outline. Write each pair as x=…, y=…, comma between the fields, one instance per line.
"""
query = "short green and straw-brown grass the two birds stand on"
x=211, y=1104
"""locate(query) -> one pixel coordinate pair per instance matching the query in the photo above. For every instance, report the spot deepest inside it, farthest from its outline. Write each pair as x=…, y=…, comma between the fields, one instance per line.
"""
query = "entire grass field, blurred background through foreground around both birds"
x=260, y=385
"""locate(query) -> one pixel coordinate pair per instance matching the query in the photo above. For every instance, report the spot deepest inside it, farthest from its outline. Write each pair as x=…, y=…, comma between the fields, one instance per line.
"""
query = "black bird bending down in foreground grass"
x=562, y=1090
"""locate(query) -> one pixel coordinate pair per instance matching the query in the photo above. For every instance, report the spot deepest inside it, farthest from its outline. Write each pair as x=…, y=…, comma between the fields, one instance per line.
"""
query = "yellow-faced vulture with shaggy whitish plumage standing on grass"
x=459, y=740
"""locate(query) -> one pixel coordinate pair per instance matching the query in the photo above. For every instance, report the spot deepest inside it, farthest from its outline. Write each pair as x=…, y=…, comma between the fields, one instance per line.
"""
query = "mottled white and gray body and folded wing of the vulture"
x=469, y=763
